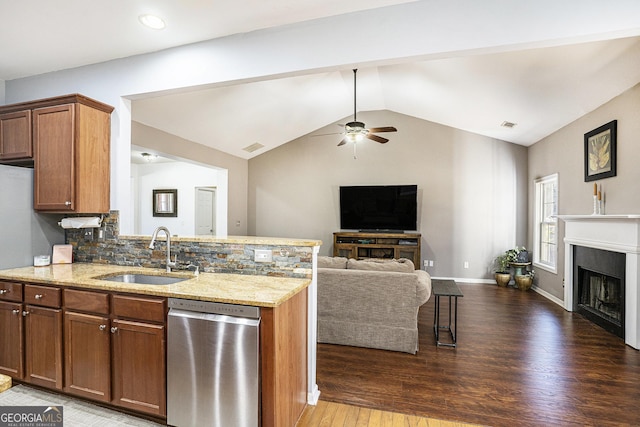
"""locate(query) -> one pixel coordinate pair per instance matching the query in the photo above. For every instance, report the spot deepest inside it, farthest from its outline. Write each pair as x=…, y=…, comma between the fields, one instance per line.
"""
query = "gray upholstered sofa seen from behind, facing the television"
x=372, y=303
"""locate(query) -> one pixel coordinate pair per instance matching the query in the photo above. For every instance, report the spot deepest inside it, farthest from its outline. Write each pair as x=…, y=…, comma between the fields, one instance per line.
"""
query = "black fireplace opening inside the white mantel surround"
x=599, y=287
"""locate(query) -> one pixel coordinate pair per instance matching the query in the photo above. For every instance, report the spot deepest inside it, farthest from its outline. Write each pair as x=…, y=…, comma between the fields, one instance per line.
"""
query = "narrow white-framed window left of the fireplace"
x=545, y=235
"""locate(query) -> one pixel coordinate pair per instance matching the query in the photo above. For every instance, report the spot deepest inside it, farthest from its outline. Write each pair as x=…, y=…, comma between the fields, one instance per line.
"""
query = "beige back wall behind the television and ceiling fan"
x=472, y=190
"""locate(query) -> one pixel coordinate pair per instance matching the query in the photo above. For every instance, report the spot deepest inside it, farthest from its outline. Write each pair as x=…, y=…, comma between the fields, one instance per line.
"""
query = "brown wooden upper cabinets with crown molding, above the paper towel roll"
x=67, y=141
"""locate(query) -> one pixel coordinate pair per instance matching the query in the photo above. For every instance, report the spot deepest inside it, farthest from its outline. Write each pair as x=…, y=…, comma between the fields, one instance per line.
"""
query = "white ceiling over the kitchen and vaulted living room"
x=541, y=88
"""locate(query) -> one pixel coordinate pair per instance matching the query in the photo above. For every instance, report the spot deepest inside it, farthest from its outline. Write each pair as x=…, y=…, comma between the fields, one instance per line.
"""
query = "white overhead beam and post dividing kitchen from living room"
x=415, y=30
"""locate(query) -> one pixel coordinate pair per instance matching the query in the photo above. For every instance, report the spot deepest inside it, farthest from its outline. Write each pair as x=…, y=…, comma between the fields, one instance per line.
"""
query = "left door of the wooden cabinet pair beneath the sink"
x=87, y=356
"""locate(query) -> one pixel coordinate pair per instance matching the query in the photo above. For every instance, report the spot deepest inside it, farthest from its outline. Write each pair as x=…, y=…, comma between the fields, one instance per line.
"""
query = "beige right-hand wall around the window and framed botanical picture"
x=563, y=153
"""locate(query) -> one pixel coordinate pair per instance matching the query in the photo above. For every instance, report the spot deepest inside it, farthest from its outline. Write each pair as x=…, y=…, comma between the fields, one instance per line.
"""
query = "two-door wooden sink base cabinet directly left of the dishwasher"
x=116, y=360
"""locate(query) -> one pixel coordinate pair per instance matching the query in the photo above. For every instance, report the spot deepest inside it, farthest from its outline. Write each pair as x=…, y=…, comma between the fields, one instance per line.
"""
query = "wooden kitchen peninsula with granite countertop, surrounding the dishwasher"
x=65, y=307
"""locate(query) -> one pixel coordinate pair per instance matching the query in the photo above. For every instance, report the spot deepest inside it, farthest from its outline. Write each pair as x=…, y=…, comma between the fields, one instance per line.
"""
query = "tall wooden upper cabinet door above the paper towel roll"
x=53, y=141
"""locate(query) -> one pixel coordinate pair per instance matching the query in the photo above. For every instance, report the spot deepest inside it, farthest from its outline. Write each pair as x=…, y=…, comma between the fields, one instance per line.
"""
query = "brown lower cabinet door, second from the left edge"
x=43, y=346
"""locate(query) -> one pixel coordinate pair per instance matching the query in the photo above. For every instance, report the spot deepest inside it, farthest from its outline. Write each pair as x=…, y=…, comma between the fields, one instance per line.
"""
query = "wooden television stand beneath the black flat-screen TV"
x=363, y=245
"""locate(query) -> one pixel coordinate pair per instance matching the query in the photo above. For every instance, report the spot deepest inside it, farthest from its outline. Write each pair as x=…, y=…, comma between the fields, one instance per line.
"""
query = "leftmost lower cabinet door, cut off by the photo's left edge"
x=11, y=348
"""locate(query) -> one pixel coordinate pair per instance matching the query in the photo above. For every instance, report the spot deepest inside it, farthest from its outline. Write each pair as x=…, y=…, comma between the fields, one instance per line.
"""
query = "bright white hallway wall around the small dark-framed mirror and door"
x=185, y=178
